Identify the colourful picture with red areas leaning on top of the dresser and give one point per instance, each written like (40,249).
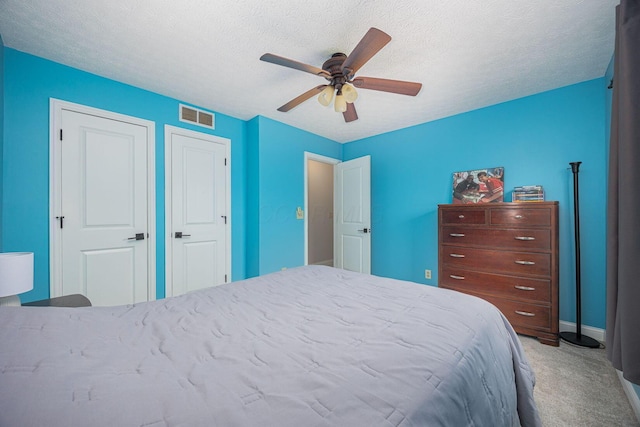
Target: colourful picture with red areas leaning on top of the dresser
(478,186)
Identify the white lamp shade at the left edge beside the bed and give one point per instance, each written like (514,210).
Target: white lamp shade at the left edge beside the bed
(16,273)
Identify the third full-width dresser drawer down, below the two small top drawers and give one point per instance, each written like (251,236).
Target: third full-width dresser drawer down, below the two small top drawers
(517,288)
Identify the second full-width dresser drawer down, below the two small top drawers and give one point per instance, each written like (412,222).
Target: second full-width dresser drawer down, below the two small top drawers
(515,263)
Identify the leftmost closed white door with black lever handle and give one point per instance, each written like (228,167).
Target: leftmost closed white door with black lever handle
(102,212)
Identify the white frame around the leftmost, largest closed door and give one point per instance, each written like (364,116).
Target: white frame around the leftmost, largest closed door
(56,106)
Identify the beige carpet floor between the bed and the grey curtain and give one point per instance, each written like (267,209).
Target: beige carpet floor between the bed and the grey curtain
(577,386)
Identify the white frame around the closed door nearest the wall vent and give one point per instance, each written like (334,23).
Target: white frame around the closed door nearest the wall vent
(173,130)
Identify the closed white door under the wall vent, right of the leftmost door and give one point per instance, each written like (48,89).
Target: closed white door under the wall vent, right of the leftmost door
(199,212)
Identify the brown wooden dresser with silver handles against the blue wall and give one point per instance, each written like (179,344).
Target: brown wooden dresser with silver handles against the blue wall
(507,254)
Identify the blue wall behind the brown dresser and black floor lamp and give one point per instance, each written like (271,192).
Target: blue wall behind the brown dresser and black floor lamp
(534,138)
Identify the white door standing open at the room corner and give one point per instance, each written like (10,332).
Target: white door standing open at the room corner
(352,215)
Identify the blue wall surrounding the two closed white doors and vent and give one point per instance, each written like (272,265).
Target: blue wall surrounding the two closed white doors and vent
(29,82)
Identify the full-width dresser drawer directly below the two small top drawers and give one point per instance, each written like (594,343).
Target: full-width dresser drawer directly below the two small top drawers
(517,239)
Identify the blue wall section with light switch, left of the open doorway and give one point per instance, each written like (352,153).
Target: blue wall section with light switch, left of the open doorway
(276,189)
